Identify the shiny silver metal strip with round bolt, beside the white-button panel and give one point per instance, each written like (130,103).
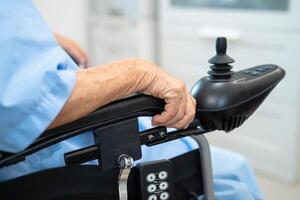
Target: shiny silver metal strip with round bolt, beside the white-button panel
(125,163)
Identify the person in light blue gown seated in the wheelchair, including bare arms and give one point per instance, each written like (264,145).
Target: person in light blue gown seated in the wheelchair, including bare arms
(42,88)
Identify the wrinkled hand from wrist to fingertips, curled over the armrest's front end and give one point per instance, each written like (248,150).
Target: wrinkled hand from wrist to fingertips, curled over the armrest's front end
(180,106)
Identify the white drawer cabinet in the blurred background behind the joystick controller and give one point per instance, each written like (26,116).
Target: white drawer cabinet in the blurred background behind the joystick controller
(270,138)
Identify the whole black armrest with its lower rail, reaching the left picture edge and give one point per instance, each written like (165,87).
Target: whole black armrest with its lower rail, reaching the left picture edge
(127,108)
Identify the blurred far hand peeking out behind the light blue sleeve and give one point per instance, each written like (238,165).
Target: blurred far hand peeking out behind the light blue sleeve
(73,49)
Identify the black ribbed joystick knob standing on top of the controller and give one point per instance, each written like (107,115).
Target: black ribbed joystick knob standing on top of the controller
(221,68)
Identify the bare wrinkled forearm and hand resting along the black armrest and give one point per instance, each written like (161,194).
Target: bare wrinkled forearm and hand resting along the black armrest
(100,85)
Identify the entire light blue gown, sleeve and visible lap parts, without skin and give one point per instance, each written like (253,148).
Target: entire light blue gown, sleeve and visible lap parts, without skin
(36,79)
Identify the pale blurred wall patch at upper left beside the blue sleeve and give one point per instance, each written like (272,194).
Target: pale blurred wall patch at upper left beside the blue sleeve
(67,17)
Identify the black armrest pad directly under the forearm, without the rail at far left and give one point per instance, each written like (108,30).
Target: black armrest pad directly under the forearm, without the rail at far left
(130,107)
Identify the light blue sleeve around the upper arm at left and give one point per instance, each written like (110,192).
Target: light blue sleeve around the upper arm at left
(36,75)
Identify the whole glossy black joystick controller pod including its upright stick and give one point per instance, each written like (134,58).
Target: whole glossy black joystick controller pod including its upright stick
(226,99)
